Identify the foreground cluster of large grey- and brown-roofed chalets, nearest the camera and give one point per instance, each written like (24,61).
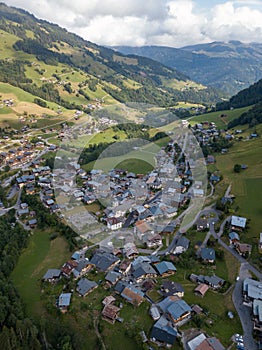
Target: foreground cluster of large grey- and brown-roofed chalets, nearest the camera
(129,280)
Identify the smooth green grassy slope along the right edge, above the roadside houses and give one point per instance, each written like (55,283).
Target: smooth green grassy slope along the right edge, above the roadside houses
(246,185)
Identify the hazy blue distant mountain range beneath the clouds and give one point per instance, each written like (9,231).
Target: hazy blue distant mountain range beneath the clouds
(229,67)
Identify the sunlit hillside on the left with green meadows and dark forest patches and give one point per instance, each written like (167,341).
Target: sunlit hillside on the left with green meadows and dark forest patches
(60,67)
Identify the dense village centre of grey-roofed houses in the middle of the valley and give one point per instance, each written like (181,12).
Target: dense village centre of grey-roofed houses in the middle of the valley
(136,200)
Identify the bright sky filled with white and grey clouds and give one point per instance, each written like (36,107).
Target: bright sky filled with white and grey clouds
(173,23)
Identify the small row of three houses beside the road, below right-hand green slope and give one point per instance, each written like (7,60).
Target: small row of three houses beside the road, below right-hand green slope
(238,224)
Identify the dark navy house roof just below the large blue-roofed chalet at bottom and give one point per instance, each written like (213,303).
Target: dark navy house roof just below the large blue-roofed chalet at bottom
(163,332)
